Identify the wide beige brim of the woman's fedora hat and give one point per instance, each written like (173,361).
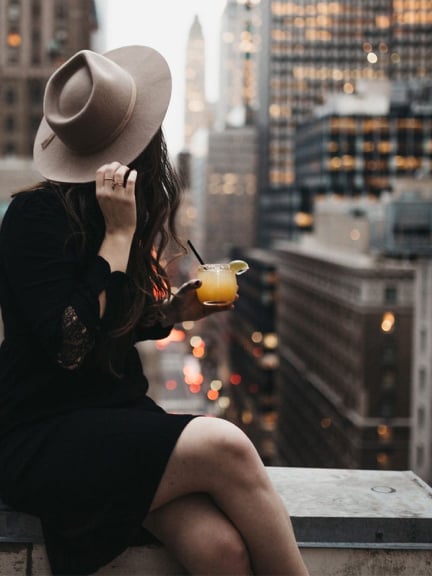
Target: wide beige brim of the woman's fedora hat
(152,77)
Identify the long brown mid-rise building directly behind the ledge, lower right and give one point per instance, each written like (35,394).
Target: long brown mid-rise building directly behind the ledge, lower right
(345,340)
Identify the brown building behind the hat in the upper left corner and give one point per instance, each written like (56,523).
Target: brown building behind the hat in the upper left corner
(35,37)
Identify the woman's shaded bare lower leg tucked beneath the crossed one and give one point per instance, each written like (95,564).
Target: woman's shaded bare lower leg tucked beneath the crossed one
(200,536)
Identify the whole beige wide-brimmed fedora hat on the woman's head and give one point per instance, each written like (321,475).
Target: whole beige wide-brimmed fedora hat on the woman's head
(99,108)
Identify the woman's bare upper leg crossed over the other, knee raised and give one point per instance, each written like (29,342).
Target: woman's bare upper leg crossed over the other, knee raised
(214,457)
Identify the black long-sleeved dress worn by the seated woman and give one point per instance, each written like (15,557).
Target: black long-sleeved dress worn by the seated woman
(80,447)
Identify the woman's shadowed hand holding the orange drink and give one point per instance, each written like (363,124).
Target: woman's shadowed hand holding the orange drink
(185,305)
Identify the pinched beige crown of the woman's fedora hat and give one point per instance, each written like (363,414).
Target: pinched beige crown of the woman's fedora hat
(88,102)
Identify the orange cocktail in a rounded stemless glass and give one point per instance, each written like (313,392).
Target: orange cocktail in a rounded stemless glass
(219,284)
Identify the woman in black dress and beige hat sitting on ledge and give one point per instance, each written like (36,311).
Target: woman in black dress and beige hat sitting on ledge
(82,445)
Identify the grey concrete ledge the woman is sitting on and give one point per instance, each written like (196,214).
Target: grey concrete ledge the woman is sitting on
(357,522)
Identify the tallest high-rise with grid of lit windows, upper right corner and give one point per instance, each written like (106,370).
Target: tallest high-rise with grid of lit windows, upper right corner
(314,48)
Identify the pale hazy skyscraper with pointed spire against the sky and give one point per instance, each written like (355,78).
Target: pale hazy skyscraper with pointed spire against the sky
(196,115)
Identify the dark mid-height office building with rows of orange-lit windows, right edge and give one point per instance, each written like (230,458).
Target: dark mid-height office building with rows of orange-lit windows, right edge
(363,144)
